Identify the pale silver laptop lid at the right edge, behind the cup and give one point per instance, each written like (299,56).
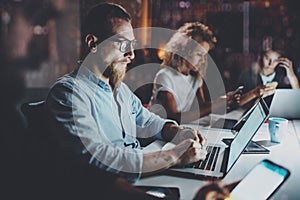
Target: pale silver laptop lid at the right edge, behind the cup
(285,103)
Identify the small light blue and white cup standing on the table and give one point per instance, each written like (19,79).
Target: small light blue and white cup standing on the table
(277,128)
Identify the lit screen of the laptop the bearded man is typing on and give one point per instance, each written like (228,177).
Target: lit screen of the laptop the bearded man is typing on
(248,130)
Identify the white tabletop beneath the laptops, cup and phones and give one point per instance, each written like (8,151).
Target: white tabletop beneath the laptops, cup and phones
(287,153)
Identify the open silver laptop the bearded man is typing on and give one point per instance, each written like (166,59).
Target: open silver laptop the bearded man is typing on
(221,157)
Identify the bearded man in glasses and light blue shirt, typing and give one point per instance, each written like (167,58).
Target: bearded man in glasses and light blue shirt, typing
(98,119)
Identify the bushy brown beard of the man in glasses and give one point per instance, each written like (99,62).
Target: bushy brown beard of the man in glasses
(115,76)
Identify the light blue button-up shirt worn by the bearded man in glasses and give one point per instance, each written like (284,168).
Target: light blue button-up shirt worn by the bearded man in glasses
(106,122)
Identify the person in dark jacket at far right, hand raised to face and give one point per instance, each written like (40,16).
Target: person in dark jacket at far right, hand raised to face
(271,71)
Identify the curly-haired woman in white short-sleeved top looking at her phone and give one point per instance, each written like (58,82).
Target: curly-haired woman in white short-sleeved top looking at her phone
(179,84)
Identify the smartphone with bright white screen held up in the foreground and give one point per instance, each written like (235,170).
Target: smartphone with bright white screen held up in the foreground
(261,182)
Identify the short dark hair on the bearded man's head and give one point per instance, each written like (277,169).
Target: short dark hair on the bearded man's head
(100,20)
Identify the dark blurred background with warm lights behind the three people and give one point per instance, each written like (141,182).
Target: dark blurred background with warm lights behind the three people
(40,39)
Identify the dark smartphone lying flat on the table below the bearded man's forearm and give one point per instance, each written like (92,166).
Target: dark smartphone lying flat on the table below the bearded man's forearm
(167,193)
